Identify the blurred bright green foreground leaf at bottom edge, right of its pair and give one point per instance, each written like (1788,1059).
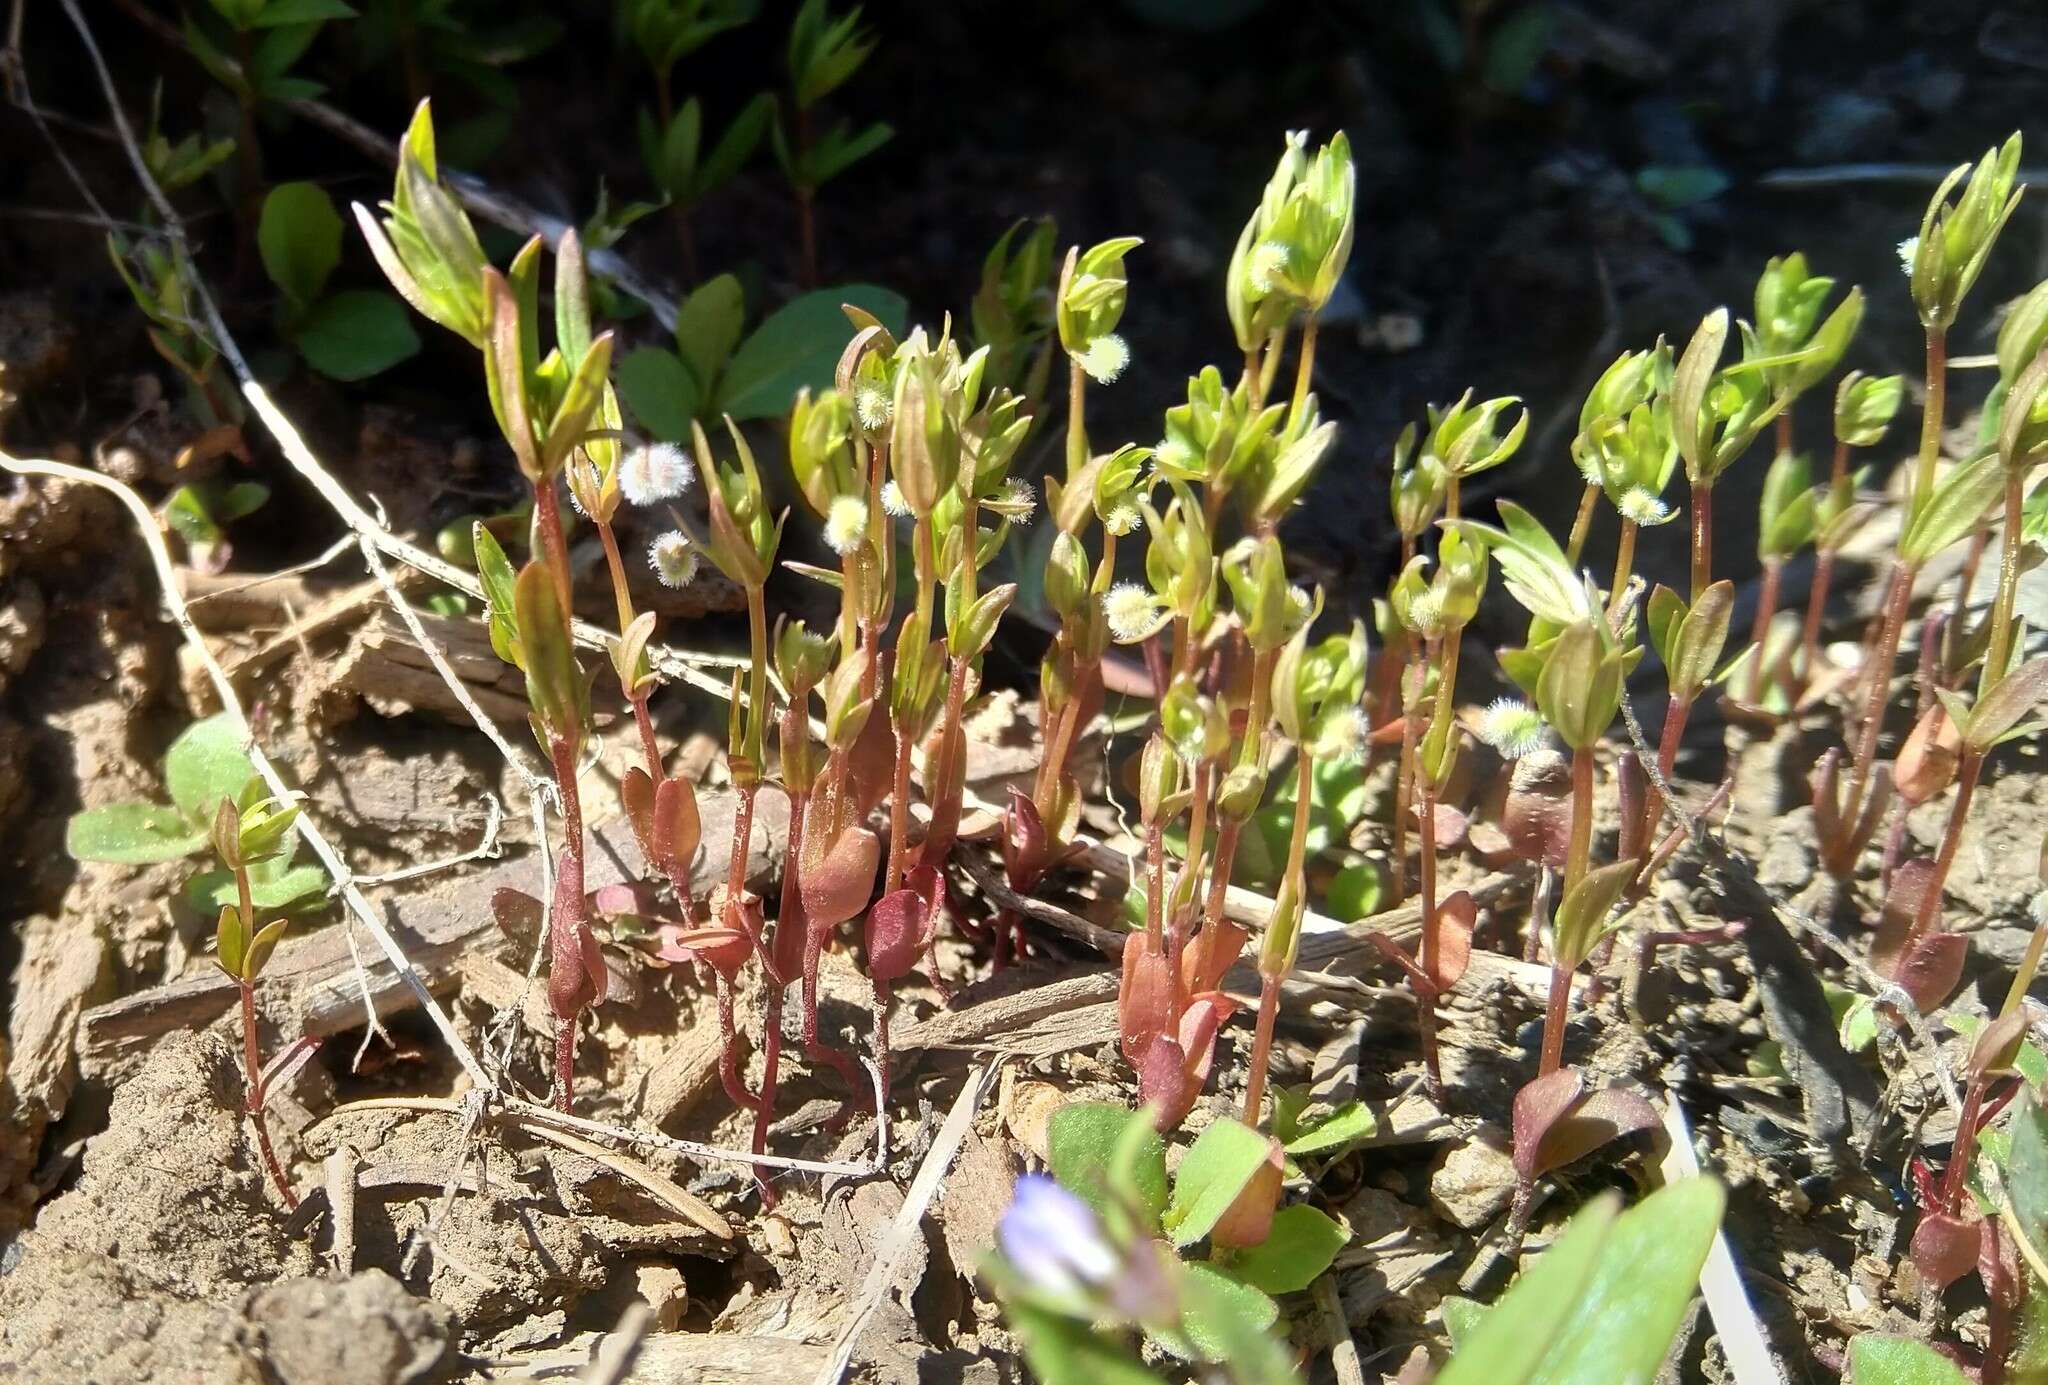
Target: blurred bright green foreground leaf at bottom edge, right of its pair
(1631,1308)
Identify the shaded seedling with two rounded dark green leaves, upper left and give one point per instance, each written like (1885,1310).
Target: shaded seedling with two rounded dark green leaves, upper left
(347,335)
